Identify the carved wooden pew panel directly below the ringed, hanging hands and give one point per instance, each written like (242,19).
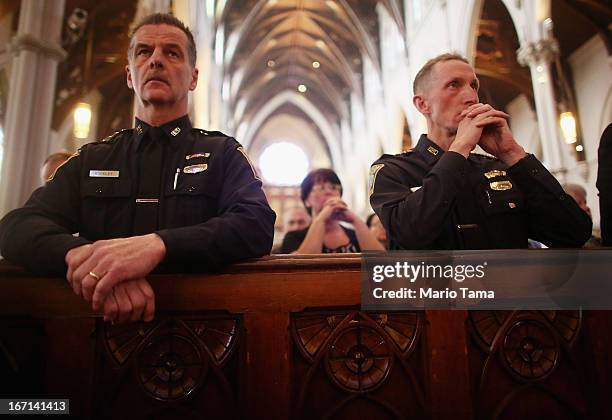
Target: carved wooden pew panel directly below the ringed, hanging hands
(171,368)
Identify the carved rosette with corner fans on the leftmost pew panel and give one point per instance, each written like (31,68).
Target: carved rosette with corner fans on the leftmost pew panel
(172,357)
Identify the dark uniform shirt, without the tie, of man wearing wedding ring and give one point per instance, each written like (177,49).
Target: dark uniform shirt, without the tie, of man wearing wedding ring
(206,219)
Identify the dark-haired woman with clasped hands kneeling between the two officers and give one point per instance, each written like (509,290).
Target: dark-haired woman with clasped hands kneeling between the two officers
(321,191)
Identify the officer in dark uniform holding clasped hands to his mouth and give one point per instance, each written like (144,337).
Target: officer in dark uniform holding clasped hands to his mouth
(442,196)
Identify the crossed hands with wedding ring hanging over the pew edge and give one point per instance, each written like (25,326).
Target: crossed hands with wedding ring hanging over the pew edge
(111,274)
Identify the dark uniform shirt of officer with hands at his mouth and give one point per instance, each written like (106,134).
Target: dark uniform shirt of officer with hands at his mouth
(431,199)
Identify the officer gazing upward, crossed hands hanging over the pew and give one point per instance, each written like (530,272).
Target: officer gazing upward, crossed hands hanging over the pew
(162,195)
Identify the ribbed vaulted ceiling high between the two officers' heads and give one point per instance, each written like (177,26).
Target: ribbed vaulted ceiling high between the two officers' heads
(272,46)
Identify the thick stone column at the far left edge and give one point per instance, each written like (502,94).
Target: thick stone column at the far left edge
(36,50)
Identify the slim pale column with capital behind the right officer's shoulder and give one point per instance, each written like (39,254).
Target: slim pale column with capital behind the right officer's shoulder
(539,56)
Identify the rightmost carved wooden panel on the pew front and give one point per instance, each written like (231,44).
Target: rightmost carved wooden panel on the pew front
(528,365)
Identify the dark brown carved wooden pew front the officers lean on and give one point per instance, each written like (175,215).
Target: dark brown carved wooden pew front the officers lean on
(283,337)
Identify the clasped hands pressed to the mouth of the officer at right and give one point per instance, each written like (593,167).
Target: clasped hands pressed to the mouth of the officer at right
(488,127)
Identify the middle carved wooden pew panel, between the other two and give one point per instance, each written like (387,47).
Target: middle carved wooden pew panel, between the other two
(351,364)
